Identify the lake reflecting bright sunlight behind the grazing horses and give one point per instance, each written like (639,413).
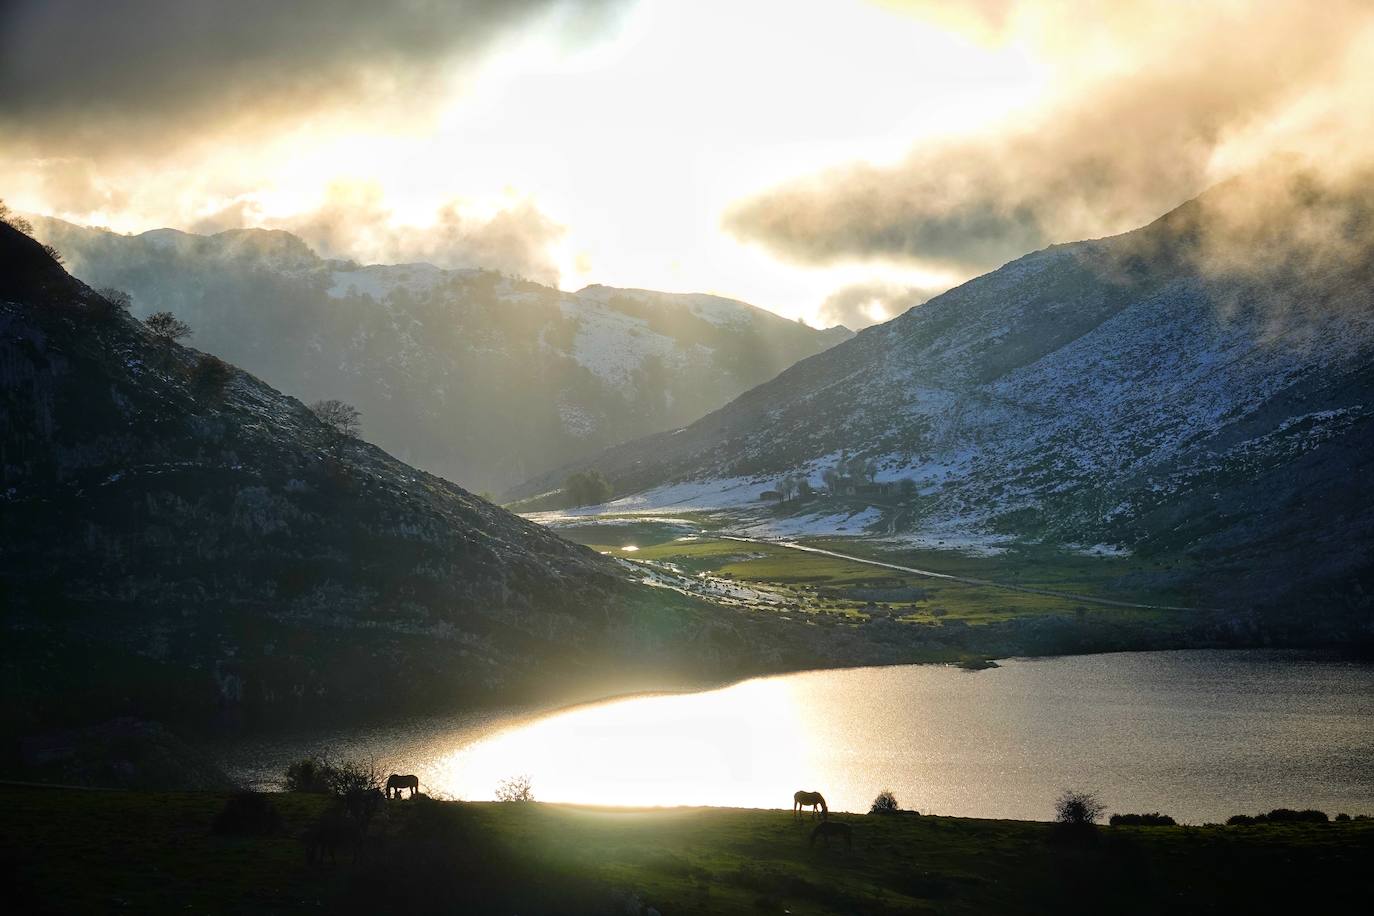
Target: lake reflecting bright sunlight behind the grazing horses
(1199,735)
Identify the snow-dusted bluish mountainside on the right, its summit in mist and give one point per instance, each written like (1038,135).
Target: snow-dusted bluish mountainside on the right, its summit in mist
(1203,385)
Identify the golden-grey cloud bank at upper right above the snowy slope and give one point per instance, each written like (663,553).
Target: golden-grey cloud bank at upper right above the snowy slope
(1152,105)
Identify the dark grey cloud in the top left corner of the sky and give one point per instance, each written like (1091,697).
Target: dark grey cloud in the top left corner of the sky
(85,76)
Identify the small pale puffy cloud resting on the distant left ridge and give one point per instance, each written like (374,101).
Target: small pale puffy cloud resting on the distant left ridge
(355,223)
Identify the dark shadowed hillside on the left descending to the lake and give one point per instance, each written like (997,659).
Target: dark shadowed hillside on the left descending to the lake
(178,538)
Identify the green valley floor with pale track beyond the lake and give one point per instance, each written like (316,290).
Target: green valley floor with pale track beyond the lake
(936,604)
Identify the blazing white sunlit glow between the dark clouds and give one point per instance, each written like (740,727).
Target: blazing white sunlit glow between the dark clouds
(635,141)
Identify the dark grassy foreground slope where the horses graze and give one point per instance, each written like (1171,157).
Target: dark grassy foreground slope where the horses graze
(153,854)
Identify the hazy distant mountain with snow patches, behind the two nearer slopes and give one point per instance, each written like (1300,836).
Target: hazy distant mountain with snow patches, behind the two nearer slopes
(479,378)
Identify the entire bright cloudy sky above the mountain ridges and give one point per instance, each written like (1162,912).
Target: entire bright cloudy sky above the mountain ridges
(836,161)
